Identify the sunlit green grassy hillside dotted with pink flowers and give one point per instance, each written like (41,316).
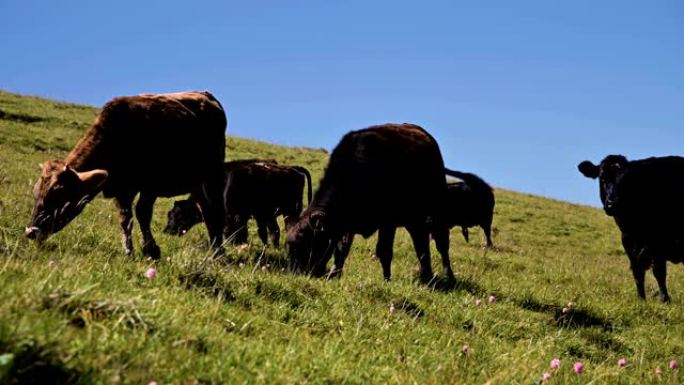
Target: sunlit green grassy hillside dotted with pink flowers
(79,311)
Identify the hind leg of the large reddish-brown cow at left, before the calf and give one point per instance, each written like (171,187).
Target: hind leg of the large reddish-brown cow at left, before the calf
(213,207)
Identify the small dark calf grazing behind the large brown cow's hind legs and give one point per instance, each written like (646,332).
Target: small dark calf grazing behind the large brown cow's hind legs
(259,189)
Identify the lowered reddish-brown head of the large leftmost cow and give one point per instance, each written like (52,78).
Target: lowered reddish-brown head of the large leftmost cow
(61,193)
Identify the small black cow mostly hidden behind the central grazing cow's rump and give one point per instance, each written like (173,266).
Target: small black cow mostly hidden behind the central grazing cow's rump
(470,203)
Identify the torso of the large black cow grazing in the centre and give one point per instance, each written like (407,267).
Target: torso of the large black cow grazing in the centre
(383,175)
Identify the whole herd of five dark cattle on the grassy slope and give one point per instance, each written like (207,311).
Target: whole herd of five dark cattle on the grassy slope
(377,179)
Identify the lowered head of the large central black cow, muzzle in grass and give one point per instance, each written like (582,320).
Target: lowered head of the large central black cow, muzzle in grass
(308,243)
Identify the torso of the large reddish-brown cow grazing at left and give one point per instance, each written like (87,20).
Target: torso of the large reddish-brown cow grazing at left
(163,143)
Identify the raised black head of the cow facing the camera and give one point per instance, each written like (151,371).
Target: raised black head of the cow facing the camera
(610,172)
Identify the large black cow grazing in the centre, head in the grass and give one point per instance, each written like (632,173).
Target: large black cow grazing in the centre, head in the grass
(377,179)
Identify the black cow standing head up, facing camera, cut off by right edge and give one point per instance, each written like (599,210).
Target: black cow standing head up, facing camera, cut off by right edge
(645,197)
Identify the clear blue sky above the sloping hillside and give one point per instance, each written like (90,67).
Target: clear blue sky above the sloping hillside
(516,91)
